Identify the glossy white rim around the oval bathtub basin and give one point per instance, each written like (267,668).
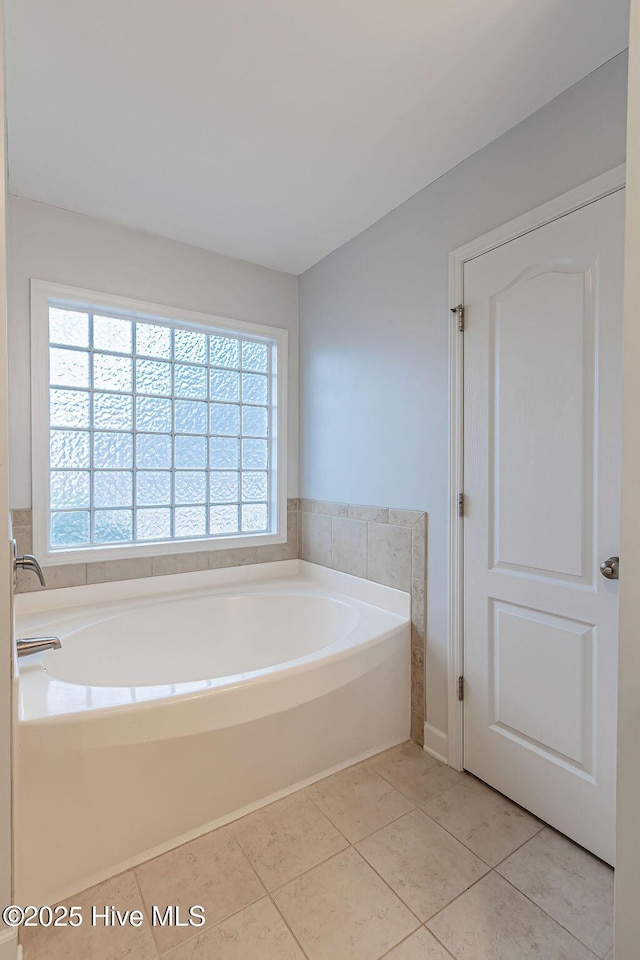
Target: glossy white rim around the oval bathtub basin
(241,698)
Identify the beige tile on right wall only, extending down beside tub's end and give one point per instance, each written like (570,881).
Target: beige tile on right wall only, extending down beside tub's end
(382,544)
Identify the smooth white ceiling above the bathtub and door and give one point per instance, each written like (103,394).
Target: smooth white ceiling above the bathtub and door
(275,130)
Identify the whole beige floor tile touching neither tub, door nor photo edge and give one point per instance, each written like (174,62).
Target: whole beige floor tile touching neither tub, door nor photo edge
(425,866)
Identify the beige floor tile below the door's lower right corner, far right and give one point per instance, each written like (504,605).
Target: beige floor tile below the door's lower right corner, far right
(575,888)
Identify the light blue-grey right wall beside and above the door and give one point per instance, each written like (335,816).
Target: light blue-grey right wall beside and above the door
(374,317)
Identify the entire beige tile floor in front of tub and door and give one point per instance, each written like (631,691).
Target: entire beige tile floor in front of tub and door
(397,857)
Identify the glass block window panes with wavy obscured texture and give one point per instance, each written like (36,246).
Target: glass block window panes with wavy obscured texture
(158,431)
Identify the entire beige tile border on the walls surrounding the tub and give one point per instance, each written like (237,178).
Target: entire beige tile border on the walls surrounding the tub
(382,544)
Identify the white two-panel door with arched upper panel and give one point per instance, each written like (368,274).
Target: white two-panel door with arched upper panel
(542,445)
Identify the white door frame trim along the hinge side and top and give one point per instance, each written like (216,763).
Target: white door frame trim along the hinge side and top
(602,186)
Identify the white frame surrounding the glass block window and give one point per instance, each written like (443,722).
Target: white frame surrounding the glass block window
(44,294)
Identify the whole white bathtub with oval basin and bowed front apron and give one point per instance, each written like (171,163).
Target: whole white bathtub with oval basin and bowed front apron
(179,703)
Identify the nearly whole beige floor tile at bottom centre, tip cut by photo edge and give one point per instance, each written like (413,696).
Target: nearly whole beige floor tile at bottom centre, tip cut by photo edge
(342,910)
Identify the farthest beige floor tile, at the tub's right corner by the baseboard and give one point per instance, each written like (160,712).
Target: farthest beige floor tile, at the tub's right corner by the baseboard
(414,773)
